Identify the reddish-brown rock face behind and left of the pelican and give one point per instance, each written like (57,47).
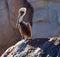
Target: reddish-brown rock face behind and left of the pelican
(8,16)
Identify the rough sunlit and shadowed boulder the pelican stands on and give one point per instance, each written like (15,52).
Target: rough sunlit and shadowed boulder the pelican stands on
(50,48)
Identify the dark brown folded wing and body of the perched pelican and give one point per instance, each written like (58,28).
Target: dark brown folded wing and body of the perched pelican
(25,30)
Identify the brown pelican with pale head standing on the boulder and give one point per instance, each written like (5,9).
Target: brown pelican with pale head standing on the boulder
(24,28)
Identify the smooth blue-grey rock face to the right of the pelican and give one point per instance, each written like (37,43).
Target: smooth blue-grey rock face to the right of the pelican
(46,18)
